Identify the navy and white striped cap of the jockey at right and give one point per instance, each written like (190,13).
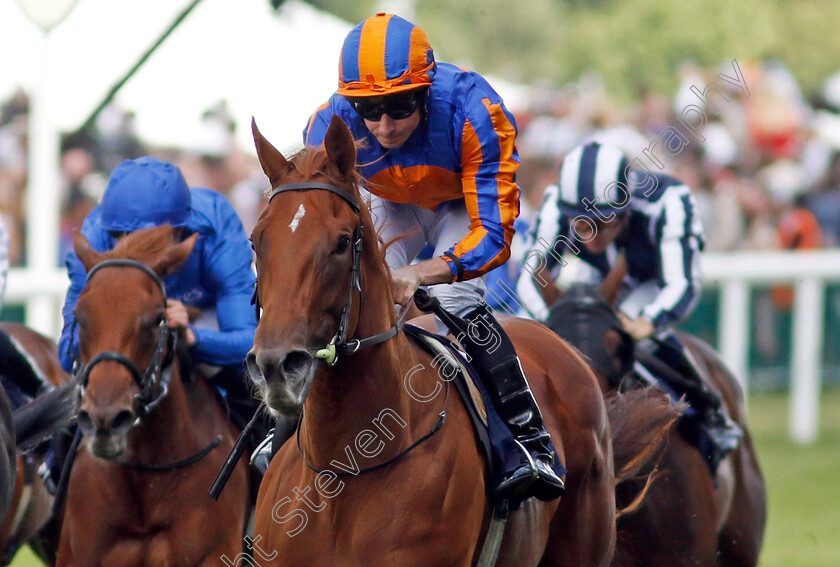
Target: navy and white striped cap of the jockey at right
(593,179)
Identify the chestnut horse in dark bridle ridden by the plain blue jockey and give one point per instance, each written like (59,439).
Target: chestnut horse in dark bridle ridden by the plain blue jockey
(153,439)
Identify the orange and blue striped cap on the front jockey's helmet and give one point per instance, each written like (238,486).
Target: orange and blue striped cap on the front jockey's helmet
(384,54)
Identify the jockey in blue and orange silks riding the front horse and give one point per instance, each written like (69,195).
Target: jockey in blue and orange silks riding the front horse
(438,152)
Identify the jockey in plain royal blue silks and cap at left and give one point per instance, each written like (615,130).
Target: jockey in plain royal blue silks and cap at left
(217,280)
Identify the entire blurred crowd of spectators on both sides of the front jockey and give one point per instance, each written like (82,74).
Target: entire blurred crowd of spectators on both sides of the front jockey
(765,168)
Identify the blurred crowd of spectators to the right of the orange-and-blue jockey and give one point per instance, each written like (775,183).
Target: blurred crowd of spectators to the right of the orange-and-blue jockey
(765,168)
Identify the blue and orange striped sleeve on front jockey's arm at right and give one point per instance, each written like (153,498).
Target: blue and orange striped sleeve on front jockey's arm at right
(489,161)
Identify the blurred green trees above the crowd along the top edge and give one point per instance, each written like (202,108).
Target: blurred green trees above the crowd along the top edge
(636,46)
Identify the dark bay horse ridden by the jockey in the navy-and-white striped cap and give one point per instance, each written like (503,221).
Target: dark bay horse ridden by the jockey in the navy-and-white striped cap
(689,517)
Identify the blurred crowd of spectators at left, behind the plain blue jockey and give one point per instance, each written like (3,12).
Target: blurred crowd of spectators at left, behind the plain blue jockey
(87,158)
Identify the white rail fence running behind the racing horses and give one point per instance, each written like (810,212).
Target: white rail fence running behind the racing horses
(42,292)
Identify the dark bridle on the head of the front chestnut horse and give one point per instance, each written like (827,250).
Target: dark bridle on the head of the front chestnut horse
(339,346)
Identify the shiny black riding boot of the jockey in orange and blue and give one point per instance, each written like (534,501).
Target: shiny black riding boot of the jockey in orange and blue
(494,357)
